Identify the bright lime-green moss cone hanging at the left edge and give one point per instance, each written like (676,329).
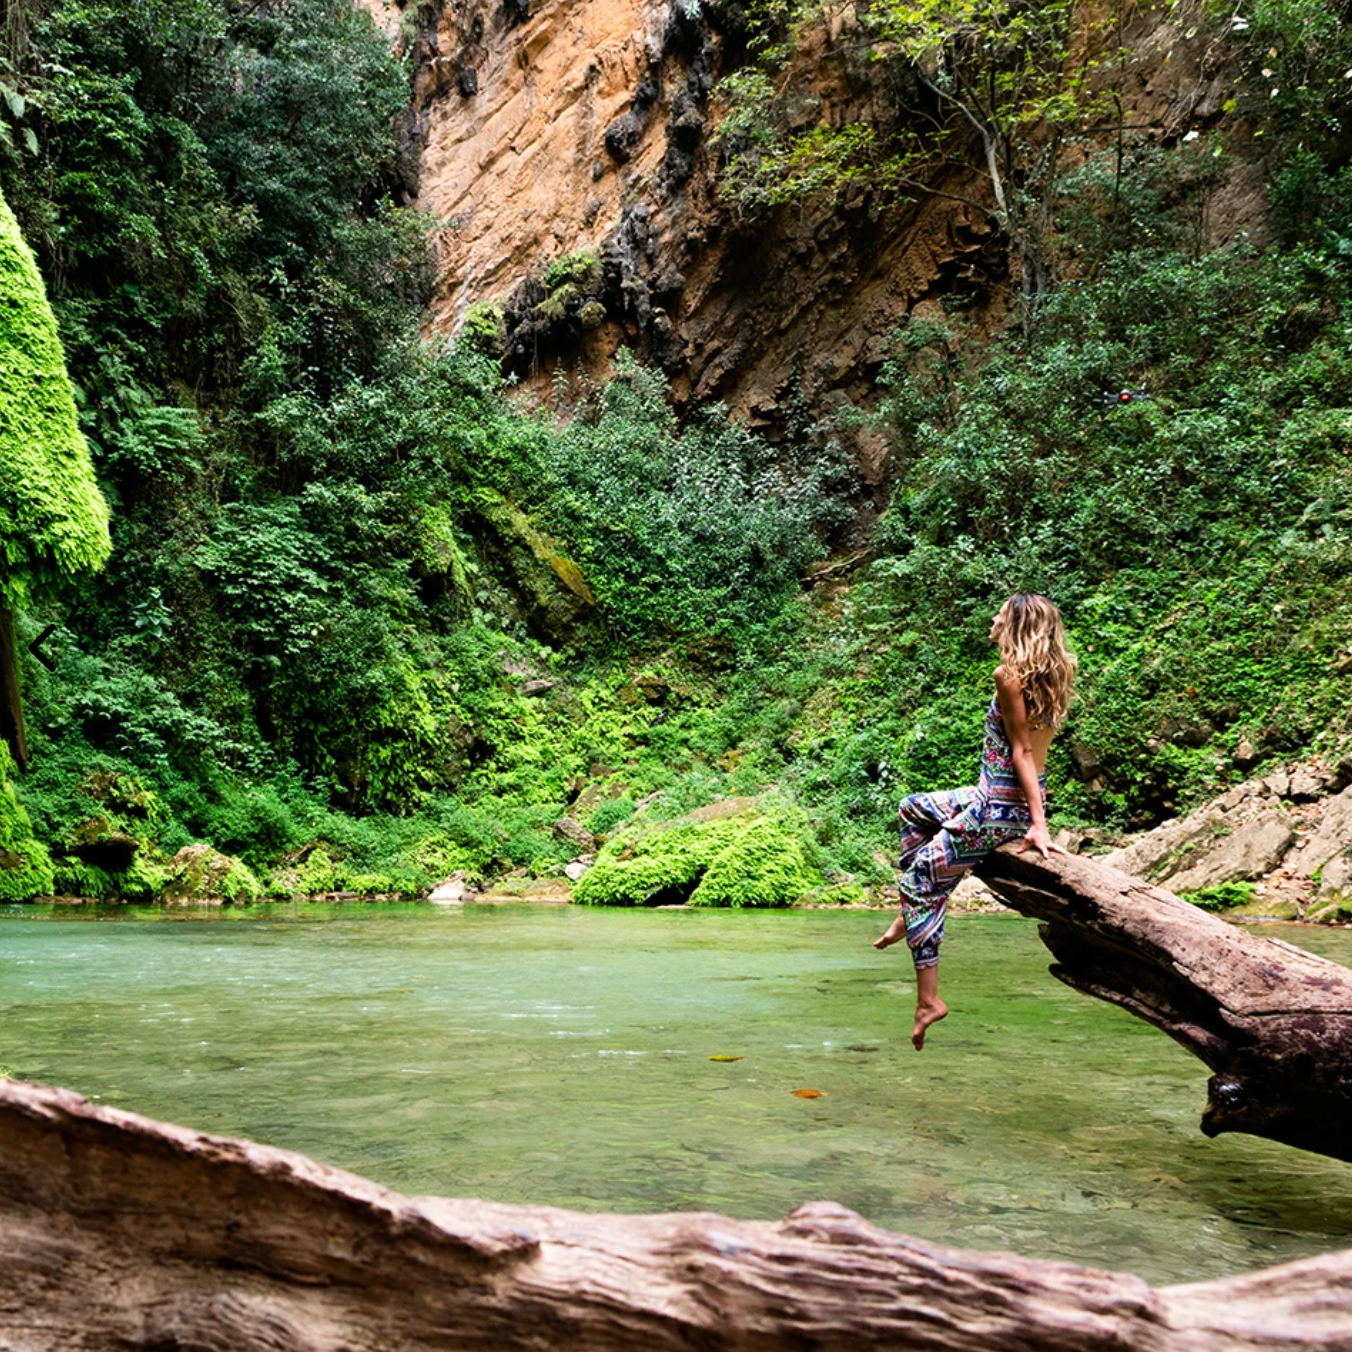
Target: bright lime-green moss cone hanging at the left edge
(53,520)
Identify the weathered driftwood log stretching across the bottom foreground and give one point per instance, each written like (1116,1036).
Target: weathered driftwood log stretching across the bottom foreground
(118,1232)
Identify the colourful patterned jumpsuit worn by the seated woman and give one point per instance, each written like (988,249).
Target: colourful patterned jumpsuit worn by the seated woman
(944,835)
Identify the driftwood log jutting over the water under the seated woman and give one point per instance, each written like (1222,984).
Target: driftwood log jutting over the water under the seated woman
(1272,1021)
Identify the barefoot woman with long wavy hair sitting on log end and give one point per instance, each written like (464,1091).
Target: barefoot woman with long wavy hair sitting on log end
(948,832)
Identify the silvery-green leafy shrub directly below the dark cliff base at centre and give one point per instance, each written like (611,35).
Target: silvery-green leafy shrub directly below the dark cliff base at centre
(685,531)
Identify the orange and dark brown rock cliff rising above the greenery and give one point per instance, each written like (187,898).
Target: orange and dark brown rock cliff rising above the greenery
(550,129)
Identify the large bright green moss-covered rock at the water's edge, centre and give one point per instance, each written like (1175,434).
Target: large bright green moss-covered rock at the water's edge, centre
(744,861)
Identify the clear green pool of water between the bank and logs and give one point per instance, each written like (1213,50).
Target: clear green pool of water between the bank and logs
(562,1055)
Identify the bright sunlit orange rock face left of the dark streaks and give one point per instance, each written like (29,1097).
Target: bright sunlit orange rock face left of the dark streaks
(513,103)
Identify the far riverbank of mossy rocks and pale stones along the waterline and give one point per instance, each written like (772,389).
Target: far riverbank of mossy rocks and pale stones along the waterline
(1277,847)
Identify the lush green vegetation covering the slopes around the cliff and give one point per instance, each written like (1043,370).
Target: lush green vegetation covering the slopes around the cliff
(371,621)
